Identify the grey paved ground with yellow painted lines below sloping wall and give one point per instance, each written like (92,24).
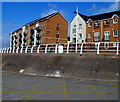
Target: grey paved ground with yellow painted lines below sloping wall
(23,87)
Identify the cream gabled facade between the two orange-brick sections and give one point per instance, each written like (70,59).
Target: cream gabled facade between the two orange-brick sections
(78,28)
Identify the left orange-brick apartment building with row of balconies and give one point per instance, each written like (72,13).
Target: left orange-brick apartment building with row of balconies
(52,29)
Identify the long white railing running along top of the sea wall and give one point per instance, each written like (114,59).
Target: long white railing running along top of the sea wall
(81,48)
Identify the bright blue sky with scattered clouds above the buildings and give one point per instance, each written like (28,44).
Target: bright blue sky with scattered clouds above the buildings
(16,14)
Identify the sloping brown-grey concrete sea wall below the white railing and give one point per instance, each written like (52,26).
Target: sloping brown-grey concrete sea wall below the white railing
(103,67)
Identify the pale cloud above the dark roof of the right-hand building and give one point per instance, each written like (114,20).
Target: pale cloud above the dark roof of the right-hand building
(110,8)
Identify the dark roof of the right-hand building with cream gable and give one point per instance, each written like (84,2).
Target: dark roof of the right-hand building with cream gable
(100,16)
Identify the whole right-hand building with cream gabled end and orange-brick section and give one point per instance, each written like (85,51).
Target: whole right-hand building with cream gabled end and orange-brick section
(97,28)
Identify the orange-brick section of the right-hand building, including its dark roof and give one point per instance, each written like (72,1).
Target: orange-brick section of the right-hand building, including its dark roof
(103,27)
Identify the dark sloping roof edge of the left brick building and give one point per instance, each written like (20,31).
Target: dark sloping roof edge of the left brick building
(39,20)
